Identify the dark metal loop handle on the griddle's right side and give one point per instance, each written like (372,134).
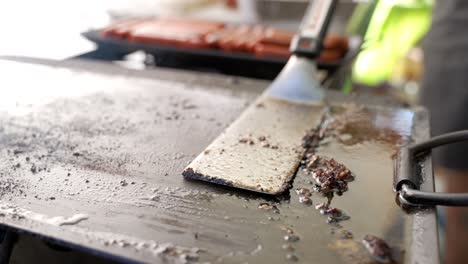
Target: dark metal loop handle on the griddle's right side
(407,179)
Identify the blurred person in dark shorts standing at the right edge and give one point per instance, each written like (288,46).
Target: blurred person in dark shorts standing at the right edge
(445,93)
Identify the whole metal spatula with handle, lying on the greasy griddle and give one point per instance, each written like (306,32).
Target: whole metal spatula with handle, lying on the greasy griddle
(261,150)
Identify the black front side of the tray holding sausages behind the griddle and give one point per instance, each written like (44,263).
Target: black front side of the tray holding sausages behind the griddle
(232,63)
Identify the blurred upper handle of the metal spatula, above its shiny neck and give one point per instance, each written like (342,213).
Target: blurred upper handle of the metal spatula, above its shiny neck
(308,41)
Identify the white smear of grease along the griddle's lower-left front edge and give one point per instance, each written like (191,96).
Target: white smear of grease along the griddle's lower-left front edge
(56,220)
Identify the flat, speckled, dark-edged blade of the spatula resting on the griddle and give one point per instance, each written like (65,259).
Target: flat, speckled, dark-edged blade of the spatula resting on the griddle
(261,150)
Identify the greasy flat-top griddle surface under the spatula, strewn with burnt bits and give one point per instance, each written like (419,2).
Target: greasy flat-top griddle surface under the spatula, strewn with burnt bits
(107,148)
